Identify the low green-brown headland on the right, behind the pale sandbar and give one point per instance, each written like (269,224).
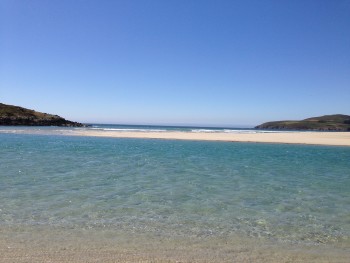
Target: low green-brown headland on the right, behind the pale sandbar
(337,122)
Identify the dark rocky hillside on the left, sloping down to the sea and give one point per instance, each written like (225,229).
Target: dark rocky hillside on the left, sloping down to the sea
(14,115)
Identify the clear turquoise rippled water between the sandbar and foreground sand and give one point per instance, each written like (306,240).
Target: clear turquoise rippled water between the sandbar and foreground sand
(286,193)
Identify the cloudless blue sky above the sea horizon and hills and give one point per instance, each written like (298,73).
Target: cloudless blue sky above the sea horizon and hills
(217,62)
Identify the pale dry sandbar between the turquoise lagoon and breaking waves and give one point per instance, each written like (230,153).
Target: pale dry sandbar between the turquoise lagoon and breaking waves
(318,138)
